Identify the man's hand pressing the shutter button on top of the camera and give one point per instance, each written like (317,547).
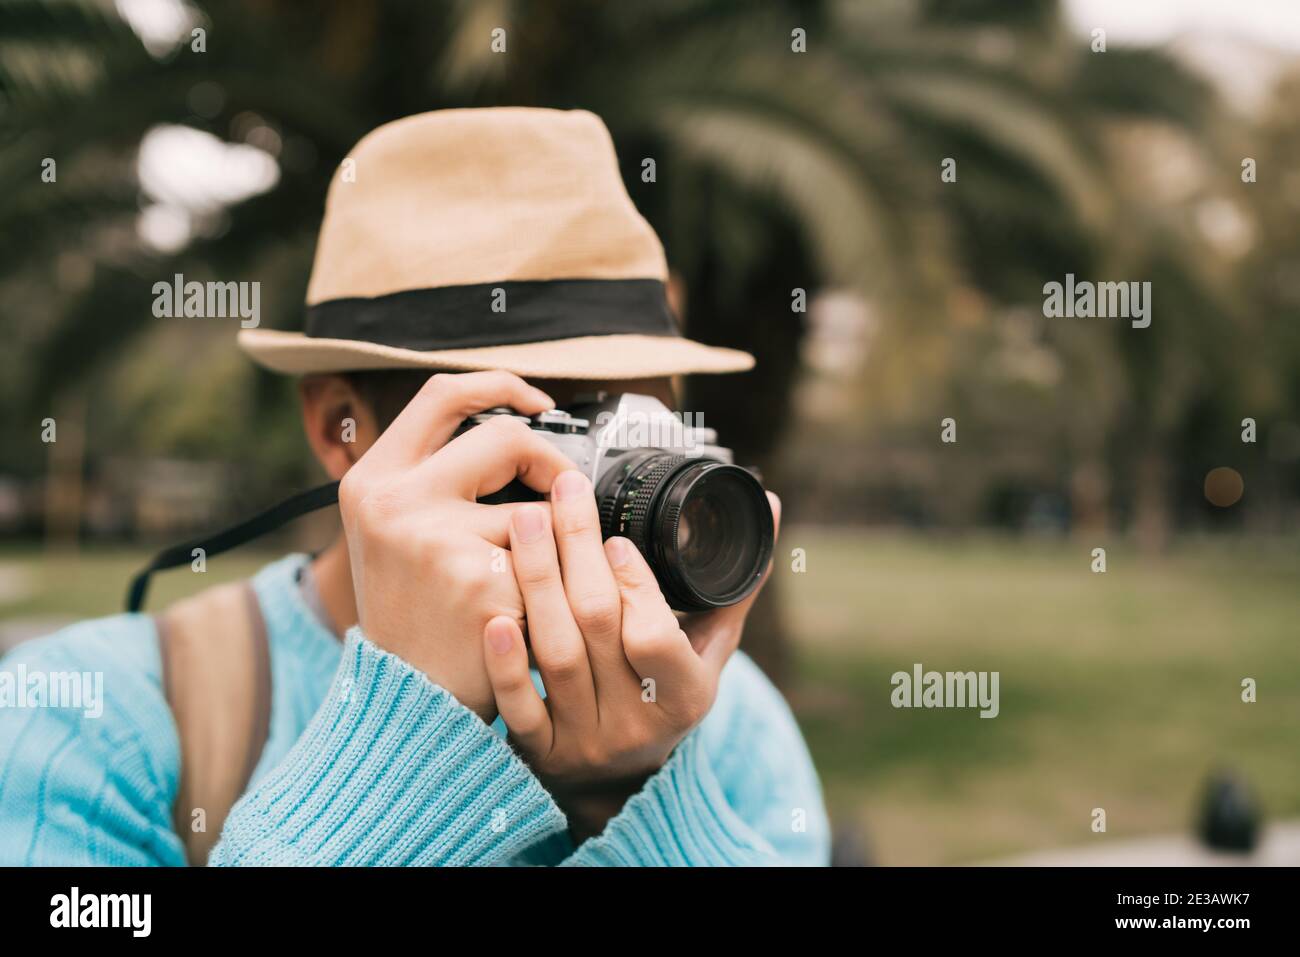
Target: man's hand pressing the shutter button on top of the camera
(428,561)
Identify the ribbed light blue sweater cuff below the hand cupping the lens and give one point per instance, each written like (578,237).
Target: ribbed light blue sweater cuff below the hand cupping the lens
(681,819)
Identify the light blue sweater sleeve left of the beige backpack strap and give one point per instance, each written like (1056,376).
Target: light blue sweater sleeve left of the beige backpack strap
(90,785)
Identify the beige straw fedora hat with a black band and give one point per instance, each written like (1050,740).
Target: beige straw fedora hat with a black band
(488,240)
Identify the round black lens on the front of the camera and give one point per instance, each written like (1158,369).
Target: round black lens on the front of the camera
(704,526)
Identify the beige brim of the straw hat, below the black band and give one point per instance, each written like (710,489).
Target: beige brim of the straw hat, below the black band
(590,357)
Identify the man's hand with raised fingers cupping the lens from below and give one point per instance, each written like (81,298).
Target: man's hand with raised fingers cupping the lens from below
(625,679)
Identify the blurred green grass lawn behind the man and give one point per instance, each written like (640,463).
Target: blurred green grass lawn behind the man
(1119,691)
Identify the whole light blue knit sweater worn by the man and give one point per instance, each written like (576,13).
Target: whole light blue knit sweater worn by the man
(371,764)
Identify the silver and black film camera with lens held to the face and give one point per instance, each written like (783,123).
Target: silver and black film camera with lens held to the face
(703,523)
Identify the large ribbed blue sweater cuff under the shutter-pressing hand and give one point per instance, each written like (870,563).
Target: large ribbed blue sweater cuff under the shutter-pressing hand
(393,770)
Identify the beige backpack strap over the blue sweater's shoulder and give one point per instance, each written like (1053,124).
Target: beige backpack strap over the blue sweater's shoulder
(216,674)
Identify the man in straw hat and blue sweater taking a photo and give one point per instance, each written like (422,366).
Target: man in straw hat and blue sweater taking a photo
(499,245)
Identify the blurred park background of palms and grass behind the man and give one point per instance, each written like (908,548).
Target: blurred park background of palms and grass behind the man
(775,171)
